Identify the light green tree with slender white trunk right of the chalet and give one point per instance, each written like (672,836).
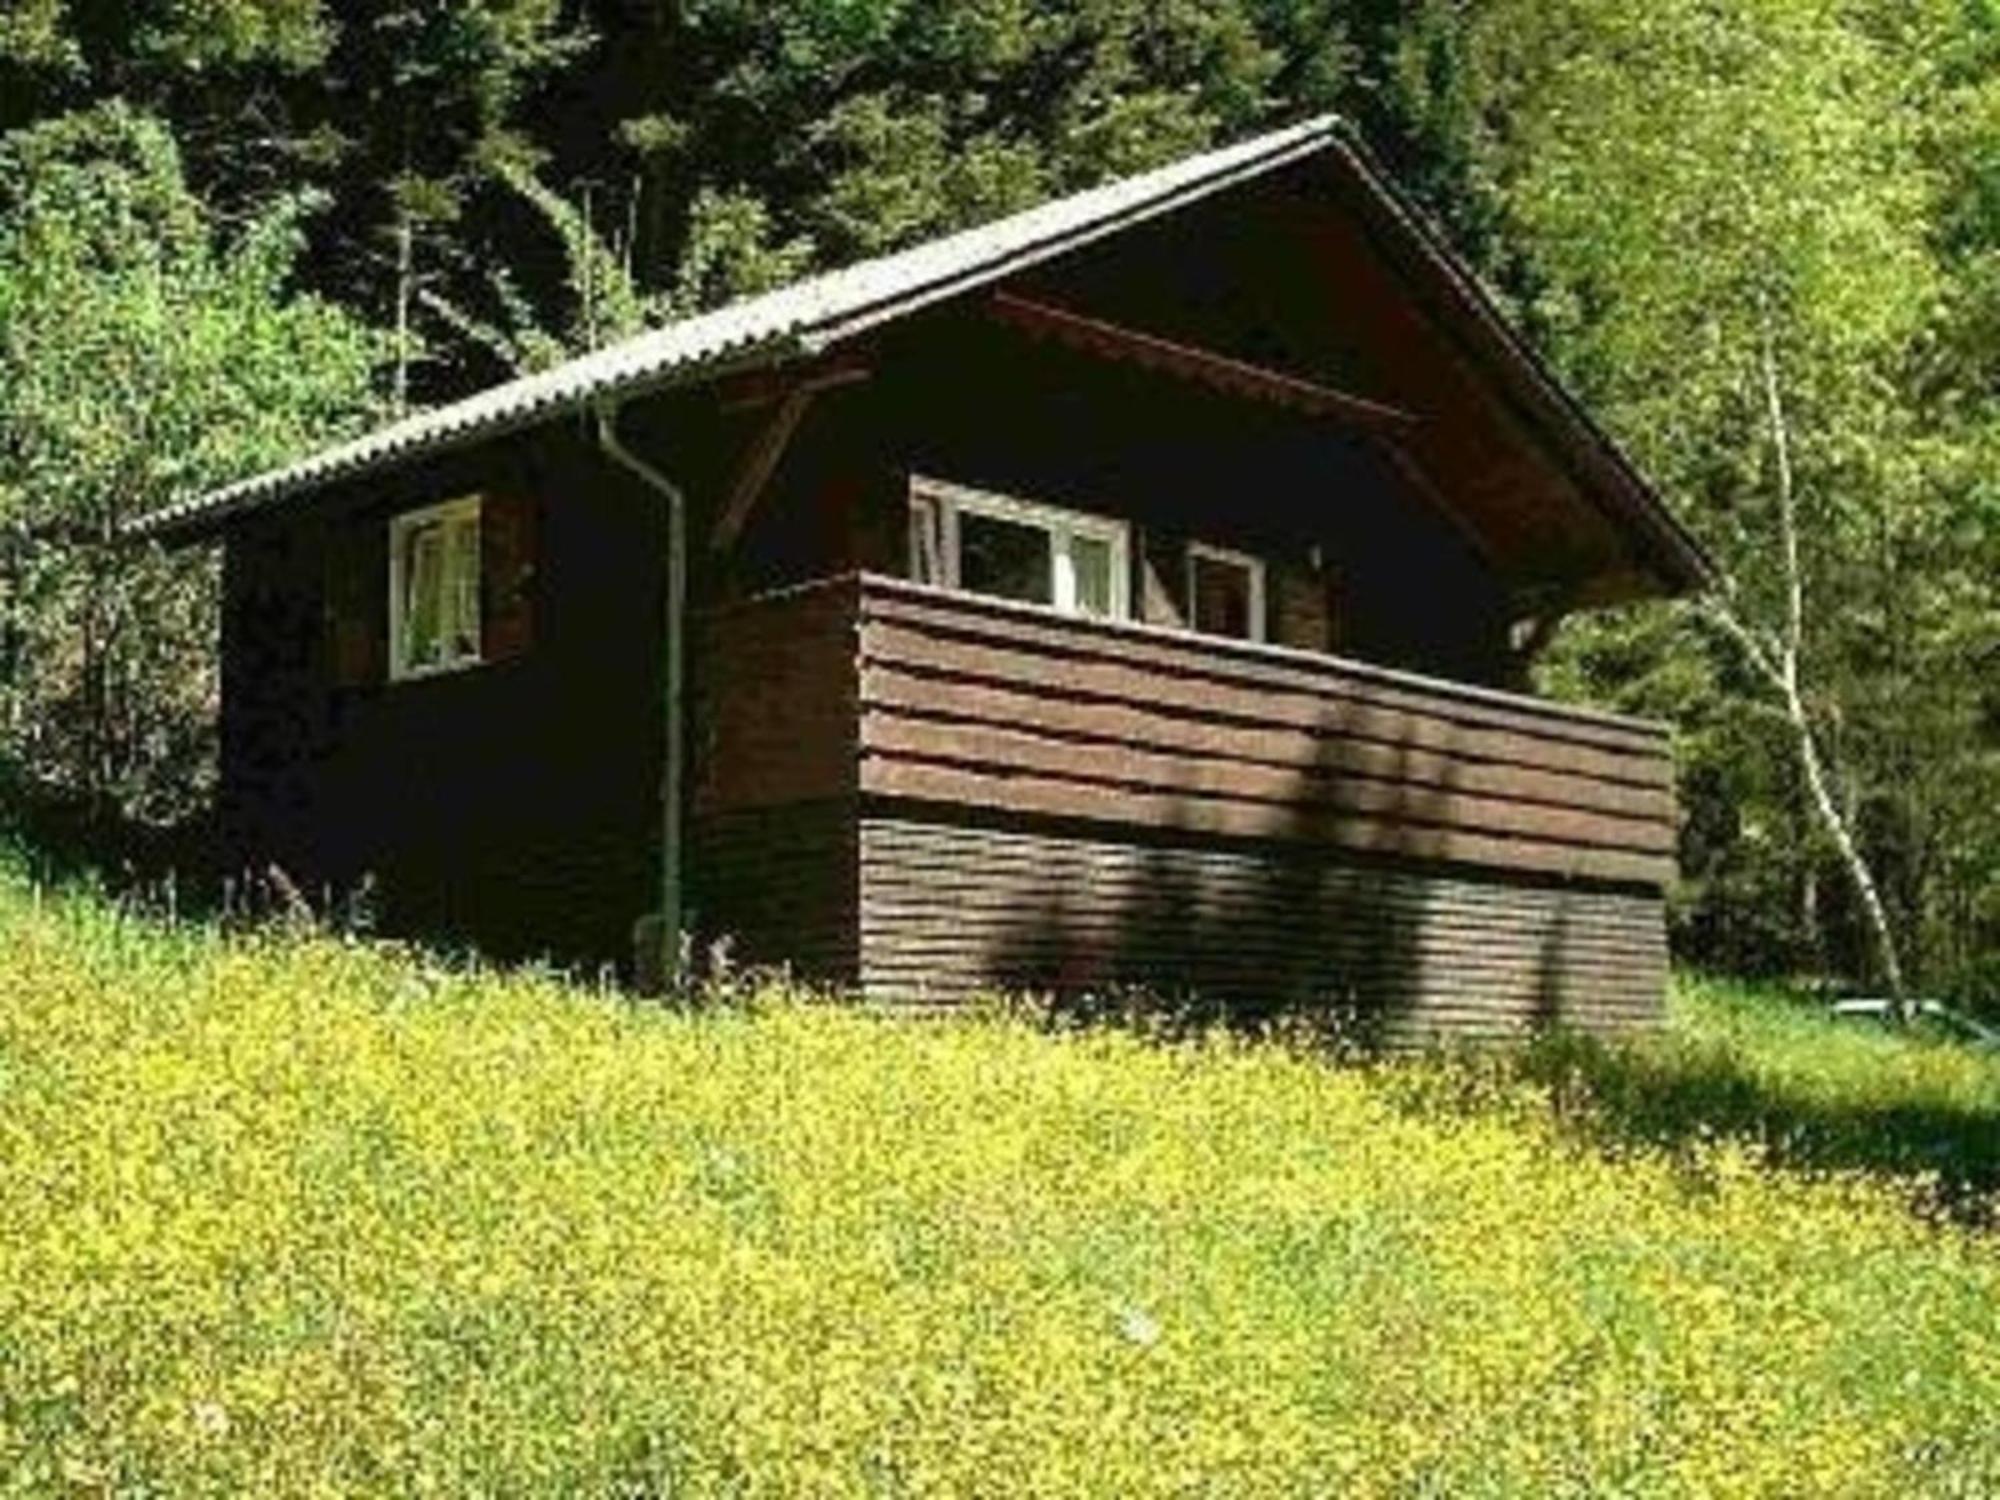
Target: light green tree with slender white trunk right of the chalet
(1731,217)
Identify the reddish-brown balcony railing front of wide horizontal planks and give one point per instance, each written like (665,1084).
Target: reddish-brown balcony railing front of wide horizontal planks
(989,707)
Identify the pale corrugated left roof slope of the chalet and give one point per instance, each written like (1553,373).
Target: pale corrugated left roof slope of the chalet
(623,371)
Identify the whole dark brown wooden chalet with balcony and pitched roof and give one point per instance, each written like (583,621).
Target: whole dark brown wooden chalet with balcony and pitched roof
(1131,593)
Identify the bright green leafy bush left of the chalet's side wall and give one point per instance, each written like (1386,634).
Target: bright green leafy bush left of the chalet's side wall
(141,357)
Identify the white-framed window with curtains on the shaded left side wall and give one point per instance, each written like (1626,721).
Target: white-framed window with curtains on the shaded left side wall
(435,589)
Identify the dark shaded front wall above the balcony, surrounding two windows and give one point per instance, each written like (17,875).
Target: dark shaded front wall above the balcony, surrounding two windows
(1357,561)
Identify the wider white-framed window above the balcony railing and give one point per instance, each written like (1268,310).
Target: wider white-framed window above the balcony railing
(1019,549)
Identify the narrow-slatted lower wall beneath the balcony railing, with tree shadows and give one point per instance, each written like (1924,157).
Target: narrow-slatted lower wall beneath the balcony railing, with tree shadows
(953,909)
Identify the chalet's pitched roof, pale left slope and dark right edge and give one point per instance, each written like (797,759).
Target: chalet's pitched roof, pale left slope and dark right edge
(809,317)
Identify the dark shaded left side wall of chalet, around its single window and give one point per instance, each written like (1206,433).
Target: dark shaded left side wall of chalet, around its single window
(513,805)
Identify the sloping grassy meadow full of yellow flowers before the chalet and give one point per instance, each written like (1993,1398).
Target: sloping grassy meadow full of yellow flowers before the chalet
(293,1217)
